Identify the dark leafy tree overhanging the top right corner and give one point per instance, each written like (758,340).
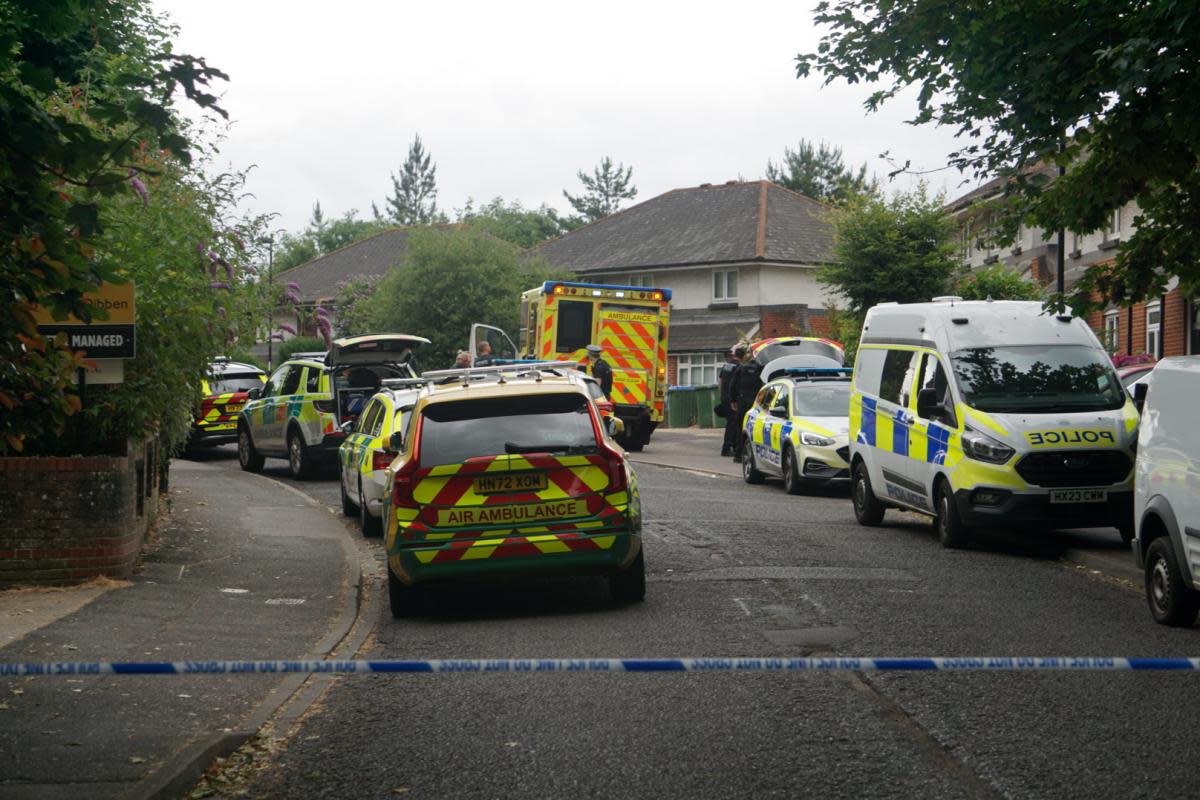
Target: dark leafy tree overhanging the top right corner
(1109,97)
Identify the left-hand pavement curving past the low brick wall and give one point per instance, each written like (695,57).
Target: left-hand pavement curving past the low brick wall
(242,569)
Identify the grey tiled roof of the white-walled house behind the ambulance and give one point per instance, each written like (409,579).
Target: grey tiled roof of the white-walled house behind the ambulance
(724,224)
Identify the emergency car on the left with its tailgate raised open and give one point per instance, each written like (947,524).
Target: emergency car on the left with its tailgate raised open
(301,412)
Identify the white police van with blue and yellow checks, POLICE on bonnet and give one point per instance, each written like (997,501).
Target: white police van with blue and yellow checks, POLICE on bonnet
(989,414)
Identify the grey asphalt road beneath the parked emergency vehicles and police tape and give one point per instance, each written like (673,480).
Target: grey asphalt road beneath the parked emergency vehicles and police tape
(747,570)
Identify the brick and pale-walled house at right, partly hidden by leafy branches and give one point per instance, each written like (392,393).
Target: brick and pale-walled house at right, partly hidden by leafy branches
(1167,326)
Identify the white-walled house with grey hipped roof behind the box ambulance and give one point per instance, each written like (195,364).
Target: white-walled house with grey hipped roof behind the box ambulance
(741,260)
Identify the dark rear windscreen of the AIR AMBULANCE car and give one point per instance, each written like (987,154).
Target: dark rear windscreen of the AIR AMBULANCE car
(457,431)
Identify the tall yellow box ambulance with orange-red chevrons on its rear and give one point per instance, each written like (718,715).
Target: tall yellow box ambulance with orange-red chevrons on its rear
(560,320)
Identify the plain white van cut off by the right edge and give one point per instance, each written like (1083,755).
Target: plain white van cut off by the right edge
(1167,502)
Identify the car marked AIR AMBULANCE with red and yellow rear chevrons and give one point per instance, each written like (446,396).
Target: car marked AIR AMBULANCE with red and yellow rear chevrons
(509,470)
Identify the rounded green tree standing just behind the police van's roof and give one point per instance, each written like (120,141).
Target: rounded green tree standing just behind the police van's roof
(891,250)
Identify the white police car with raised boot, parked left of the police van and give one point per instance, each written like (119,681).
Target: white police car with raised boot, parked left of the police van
(799,429)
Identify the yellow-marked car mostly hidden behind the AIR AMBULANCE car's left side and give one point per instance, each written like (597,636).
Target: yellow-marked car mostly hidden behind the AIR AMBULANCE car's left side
(365,455)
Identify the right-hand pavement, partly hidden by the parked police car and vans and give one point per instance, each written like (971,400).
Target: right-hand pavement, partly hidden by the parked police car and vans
(1097,551)
